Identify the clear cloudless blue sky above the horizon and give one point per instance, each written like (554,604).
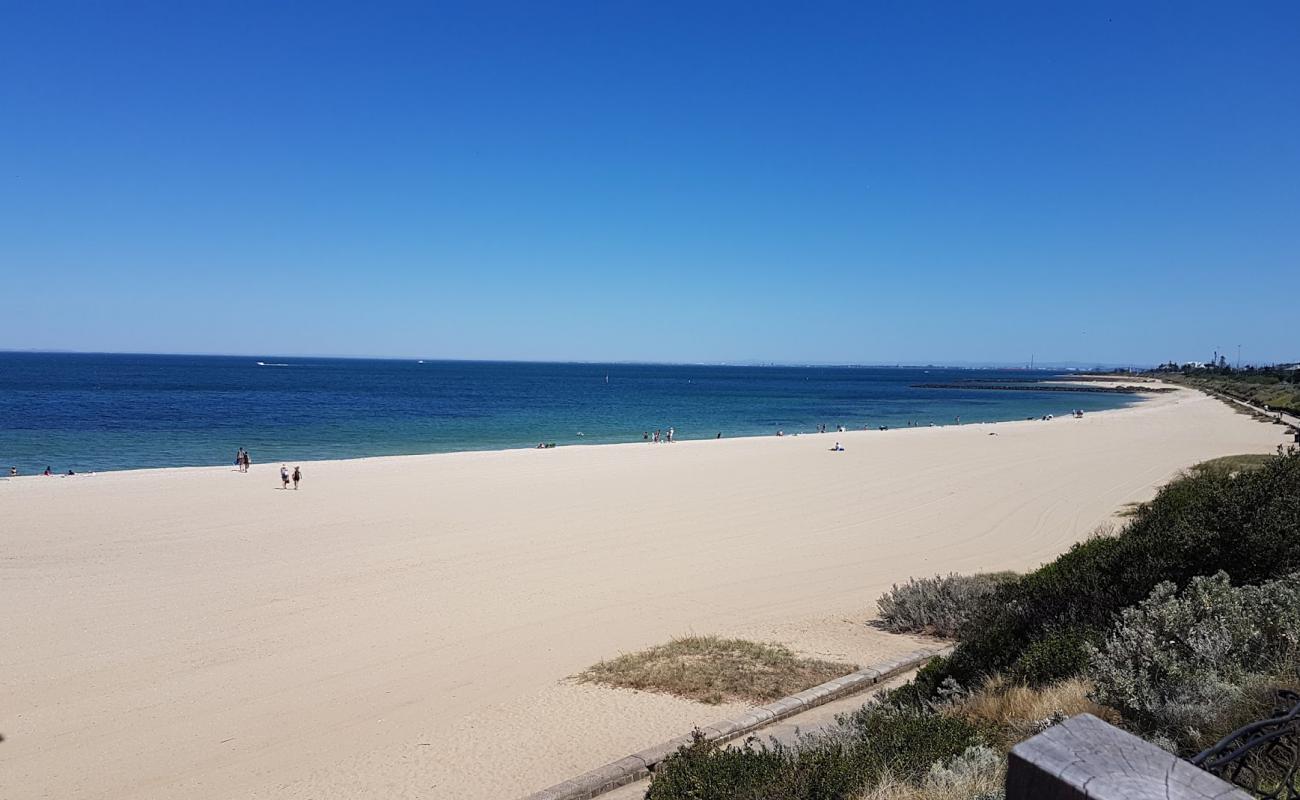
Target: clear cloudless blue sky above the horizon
(653,181)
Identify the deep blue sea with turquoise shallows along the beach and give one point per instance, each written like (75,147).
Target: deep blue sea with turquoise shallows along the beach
(94,413)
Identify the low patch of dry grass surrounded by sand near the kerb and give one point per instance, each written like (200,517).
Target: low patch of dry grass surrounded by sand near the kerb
(716,671)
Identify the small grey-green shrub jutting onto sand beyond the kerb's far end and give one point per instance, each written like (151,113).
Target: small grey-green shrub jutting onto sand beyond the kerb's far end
(938,606)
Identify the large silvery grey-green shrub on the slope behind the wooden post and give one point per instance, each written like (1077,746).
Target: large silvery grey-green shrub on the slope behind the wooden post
(1180,661)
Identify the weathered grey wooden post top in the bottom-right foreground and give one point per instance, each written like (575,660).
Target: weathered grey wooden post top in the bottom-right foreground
(1085,758)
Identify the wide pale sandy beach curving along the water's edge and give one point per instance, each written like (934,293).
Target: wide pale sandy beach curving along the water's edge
(402,628)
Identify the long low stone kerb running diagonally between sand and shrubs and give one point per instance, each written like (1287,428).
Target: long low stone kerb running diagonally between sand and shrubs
(640,764)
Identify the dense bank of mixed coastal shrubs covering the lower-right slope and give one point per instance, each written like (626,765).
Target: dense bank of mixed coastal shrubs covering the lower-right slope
(1178,629)
